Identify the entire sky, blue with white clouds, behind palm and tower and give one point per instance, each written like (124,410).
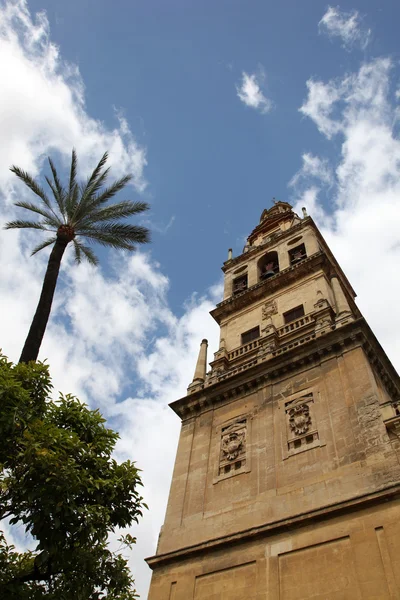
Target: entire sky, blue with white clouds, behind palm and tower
(215,107)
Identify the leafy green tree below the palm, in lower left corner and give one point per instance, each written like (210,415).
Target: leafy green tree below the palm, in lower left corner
(59,480)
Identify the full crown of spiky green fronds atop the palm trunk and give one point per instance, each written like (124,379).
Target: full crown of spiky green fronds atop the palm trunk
(84,208)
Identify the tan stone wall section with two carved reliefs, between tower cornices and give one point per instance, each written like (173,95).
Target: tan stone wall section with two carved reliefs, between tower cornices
(306,442)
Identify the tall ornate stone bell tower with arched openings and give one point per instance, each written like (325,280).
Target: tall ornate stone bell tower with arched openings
(287,480)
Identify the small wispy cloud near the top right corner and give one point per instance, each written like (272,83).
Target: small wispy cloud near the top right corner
(345,25)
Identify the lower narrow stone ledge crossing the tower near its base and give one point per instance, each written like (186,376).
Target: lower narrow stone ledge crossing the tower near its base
(300,520)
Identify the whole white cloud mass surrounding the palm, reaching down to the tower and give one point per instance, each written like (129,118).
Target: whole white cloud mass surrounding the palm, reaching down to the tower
(112,338)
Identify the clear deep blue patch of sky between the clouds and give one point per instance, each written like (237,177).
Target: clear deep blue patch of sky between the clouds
(172,67)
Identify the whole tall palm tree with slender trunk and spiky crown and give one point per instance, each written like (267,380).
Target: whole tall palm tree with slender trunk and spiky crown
(77,211)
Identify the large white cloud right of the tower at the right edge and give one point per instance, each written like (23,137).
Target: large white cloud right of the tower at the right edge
(364,214)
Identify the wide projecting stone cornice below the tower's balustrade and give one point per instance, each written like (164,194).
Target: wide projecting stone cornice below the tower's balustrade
(308,352)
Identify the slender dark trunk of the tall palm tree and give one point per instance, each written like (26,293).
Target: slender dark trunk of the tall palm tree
(36,332)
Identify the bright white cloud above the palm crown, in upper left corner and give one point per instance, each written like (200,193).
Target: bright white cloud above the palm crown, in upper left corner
(42,107)
